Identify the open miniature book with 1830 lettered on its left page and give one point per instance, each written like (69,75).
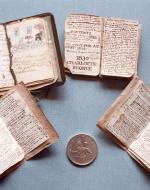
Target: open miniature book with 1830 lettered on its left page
(97,46)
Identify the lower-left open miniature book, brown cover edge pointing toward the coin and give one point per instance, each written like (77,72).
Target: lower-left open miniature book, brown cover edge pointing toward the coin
(24,129)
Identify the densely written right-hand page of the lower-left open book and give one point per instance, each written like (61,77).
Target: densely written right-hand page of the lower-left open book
(24,122)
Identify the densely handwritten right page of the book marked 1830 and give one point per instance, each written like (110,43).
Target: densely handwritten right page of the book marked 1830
(120,47)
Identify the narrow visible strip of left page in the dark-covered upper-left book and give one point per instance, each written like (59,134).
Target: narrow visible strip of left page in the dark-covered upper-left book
(6,79)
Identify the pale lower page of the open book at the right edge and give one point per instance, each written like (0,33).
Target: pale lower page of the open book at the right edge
(141,147)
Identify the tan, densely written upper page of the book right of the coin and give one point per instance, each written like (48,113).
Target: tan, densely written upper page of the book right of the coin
(130,119)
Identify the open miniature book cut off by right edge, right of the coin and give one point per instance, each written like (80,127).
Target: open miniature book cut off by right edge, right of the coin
(127,121)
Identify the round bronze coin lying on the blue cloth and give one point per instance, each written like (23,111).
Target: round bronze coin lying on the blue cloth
(82,149)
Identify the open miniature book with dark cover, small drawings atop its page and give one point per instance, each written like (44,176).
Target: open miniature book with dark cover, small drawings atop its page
(29,52)
